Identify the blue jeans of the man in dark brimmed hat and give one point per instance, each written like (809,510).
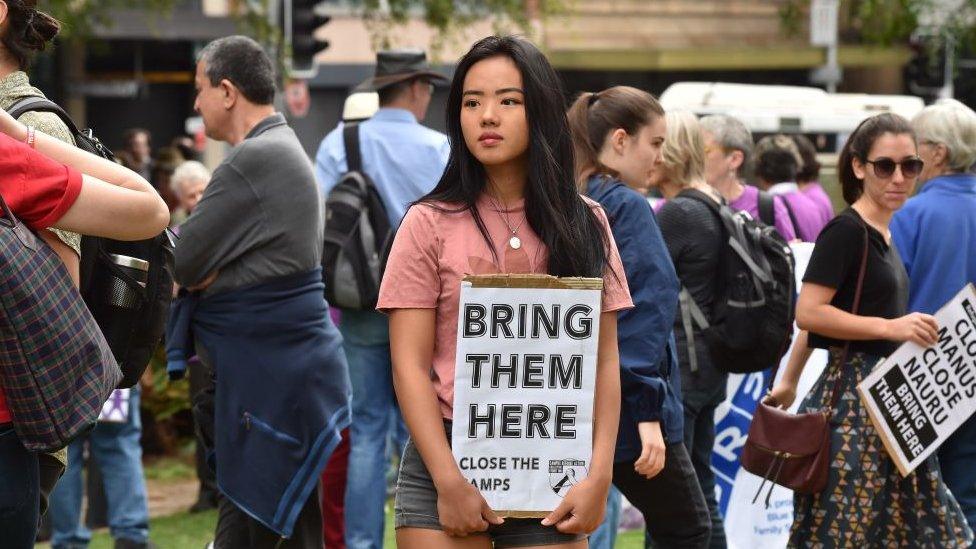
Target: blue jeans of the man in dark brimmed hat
(366,340)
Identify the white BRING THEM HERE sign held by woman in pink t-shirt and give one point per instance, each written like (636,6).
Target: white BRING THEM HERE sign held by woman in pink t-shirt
(523,387)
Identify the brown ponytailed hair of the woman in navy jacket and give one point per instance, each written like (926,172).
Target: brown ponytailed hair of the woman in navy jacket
(594,115)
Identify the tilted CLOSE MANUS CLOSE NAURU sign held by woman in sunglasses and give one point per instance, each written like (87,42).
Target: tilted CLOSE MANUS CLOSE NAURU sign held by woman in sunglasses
(918,397)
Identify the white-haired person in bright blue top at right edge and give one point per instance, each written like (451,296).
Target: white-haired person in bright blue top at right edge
(930,231)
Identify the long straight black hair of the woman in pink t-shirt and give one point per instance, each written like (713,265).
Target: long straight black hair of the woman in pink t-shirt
(571,232)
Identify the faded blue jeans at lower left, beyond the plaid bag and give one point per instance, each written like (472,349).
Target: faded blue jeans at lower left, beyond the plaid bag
(115,446)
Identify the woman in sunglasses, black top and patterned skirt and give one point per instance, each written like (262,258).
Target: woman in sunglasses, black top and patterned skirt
(866,502)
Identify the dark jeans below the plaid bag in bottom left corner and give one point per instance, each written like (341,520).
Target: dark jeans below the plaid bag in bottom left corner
(19,491)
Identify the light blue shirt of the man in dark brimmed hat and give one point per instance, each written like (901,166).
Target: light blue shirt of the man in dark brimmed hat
(403,158)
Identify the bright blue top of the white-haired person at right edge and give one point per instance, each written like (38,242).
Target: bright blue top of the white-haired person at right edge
(935,233)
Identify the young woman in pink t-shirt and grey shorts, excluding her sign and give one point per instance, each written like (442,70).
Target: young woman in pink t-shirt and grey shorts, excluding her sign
(507,203)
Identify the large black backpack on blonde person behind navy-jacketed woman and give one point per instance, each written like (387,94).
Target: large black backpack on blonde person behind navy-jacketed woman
(751,324)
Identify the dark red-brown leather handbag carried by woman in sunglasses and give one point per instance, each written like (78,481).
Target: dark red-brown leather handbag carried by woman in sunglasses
(793,450)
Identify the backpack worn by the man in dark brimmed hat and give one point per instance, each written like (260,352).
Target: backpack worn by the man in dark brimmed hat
(357,234)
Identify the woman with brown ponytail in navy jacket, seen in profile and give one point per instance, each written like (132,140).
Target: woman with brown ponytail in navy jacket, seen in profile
(618,134)
